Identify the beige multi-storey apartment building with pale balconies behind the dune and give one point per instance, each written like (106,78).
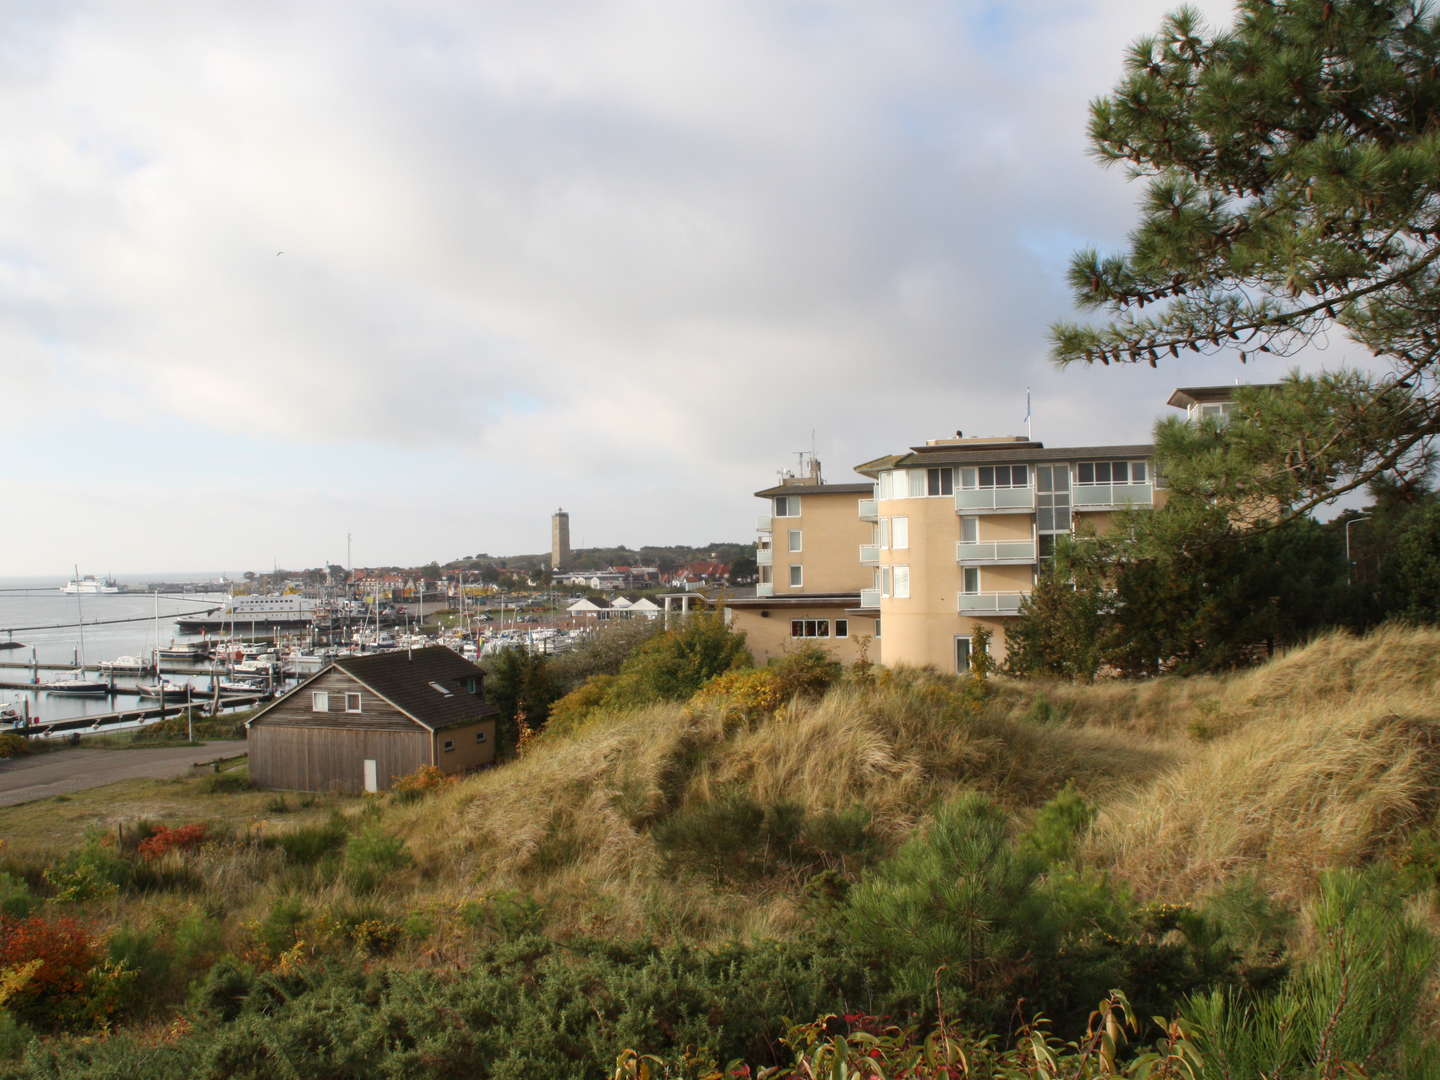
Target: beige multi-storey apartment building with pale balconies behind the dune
(944,539)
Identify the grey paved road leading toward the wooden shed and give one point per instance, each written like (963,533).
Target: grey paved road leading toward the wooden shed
(64,773)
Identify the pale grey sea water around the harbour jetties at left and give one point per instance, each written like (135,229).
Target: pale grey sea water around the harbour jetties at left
(60,629)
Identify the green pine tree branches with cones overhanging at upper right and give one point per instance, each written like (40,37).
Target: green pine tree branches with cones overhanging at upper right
(1294,189)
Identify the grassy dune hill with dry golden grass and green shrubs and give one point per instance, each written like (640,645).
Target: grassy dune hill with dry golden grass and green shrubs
(1173,836)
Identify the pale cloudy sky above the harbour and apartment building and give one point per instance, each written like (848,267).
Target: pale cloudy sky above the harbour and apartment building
(274,274)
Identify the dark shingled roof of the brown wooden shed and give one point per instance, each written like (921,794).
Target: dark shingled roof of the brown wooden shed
(405,680)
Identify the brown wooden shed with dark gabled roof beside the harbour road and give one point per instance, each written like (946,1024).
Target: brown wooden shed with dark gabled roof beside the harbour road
(364,722)
